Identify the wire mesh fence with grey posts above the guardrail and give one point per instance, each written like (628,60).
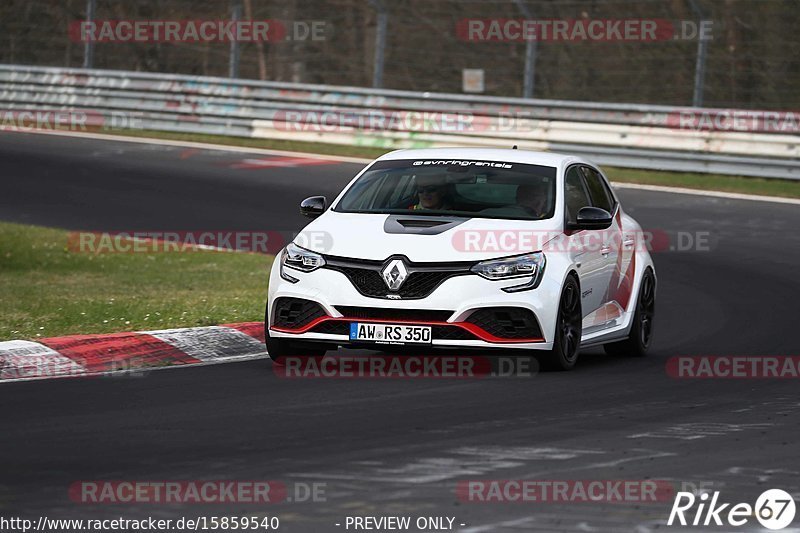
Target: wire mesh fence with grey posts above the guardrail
(749,57)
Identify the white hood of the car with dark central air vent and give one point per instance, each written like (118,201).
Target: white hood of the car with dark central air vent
(379,236)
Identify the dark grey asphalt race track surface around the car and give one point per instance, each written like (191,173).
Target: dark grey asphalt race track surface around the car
(399,447)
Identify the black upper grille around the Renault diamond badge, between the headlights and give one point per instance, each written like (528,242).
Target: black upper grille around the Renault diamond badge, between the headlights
(422,278)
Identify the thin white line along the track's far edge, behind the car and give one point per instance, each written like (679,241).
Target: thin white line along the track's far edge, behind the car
(243,149)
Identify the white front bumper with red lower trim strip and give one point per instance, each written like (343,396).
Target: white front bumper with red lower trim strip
(450,310)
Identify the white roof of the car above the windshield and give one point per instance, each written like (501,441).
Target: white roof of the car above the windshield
(485,154)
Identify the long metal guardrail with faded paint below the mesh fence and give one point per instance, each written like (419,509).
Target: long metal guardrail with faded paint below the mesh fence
(624,135)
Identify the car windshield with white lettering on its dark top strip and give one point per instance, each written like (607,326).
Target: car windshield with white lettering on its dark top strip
(481,189)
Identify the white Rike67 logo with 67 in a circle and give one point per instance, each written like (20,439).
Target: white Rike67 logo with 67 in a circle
(774,509)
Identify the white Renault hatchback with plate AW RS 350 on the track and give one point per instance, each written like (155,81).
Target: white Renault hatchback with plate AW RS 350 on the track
(469,249)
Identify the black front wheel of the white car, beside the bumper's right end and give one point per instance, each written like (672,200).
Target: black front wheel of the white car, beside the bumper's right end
(567,339)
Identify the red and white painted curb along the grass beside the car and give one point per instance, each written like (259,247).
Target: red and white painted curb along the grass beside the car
(92,355)
